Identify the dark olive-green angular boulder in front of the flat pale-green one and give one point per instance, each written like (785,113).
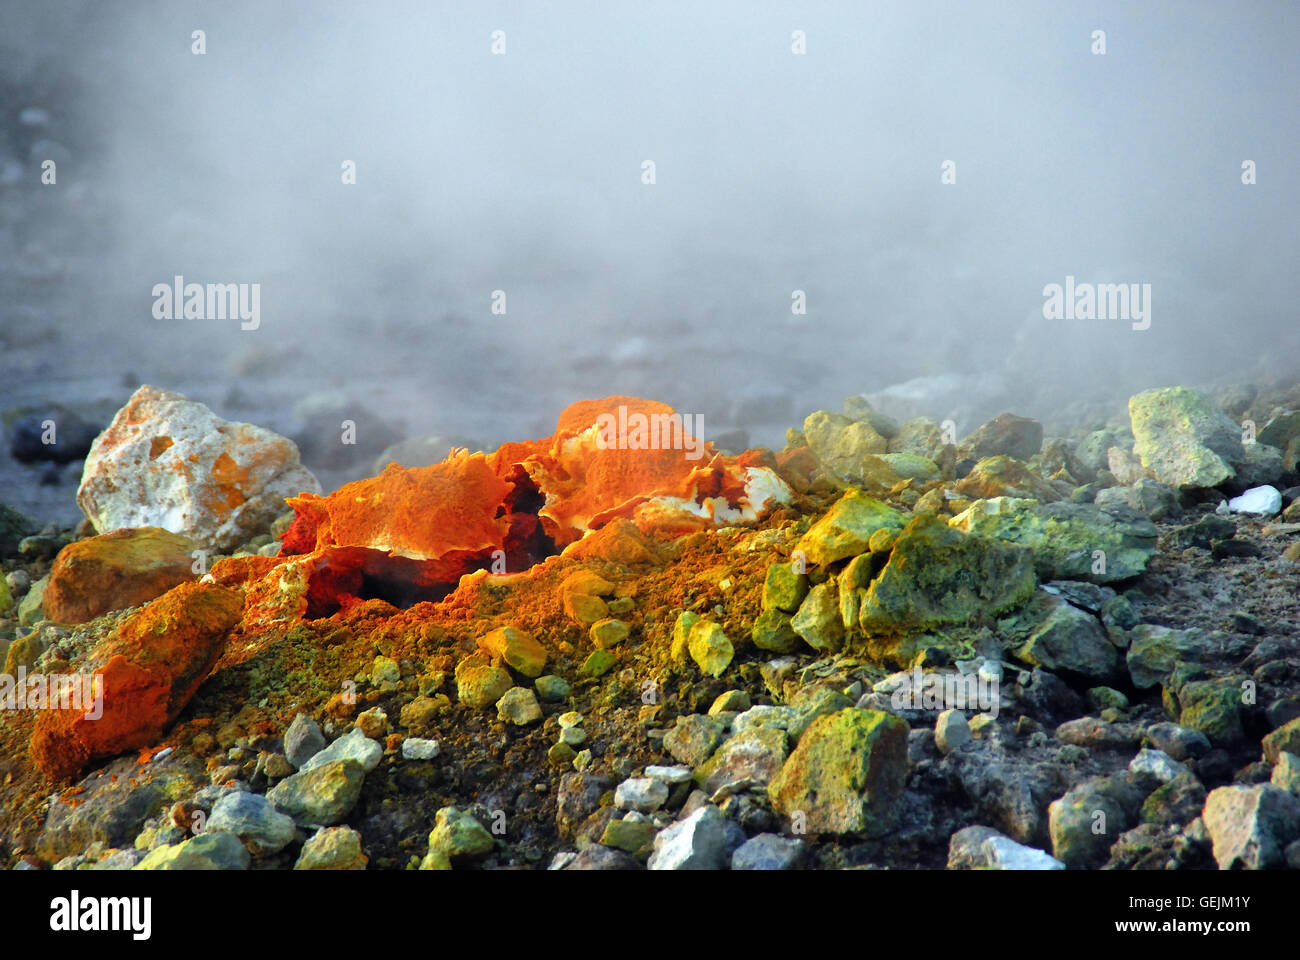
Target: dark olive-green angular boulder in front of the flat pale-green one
(939,576)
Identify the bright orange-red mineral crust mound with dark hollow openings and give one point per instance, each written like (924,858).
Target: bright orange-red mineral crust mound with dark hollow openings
(410,534)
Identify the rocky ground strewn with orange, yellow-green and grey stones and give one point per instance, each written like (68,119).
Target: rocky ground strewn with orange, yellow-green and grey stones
(736,695)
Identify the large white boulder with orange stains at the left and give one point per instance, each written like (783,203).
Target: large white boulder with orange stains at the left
(170,462)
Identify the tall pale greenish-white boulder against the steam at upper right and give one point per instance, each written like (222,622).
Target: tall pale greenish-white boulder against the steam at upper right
(1184,439)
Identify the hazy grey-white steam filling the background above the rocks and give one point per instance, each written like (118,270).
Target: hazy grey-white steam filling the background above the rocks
(523,174)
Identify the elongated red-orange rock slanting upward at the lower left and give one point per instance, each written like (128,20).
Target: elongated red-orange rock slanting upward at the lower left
(148,671)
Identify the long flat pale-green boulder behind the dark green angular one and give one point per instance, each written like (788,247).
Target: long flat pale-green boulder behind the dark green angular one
(1071,542)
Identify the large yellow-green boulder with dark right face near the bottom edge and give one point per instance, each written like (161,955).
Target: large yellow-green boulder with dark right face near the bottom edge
(846,776)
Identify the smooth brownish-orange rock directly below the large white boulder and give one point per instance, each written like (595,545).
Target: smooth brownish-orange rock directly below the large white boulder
(114,572)
